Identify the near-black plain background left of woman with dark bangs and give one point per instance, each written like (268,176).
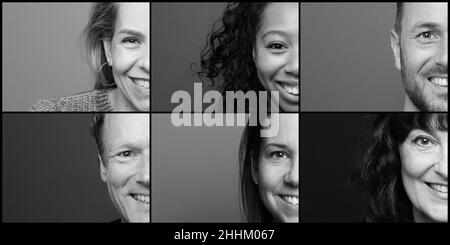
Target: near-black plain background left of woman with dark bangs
(331,146)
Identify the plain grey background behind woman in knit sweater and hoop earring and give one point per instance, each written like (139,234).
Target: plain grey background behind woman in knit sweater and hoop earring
(42,52)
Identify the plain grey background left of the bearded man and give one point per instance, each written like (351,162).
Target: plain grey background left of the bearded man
(346,59)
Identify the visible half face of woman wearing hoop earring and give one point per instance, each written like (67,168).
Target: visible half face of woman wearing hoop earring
(128,53)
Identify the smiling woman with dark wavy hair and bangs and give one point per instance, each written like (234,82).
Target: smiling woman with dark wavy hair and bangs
(405,169)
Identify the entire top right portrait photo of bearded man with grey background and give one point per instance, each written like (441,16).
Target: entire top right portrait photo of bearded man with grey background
(374,56)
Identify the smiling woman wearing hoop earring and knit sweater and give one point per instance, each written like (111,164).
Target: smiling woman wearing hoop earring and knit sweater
(117,48)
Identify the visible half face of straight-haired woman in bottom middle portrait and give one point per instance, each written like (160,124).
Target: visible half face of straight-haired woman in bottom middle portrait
(277,171)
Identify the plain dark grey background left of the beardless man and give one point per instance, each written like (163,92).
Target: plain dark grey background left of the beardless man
(50,171)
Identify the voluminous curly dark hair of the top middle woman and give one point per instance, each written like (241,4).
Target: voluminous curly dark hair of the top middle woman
(227,57)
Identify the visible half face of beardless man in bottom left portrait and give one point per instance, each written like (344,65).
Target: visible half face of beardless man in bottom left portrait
(126,169)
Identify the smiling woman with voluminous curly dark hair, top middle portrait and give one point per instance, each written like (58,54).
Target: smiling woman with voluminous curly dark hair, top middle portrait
(255,49)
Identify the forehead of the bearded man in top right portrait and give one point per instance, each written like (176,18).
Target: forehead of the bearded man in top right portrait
(425,12)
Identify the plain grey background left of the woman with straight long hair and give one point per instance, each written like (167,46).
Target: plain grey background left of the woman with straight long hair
(194,172)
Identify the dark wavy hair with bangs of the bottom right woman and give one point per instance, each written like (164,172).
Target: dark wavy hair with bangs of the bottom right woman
(380,175)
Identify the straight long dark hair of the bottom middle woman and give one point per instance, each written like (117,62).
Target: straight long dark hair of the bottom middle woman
(254,209)
